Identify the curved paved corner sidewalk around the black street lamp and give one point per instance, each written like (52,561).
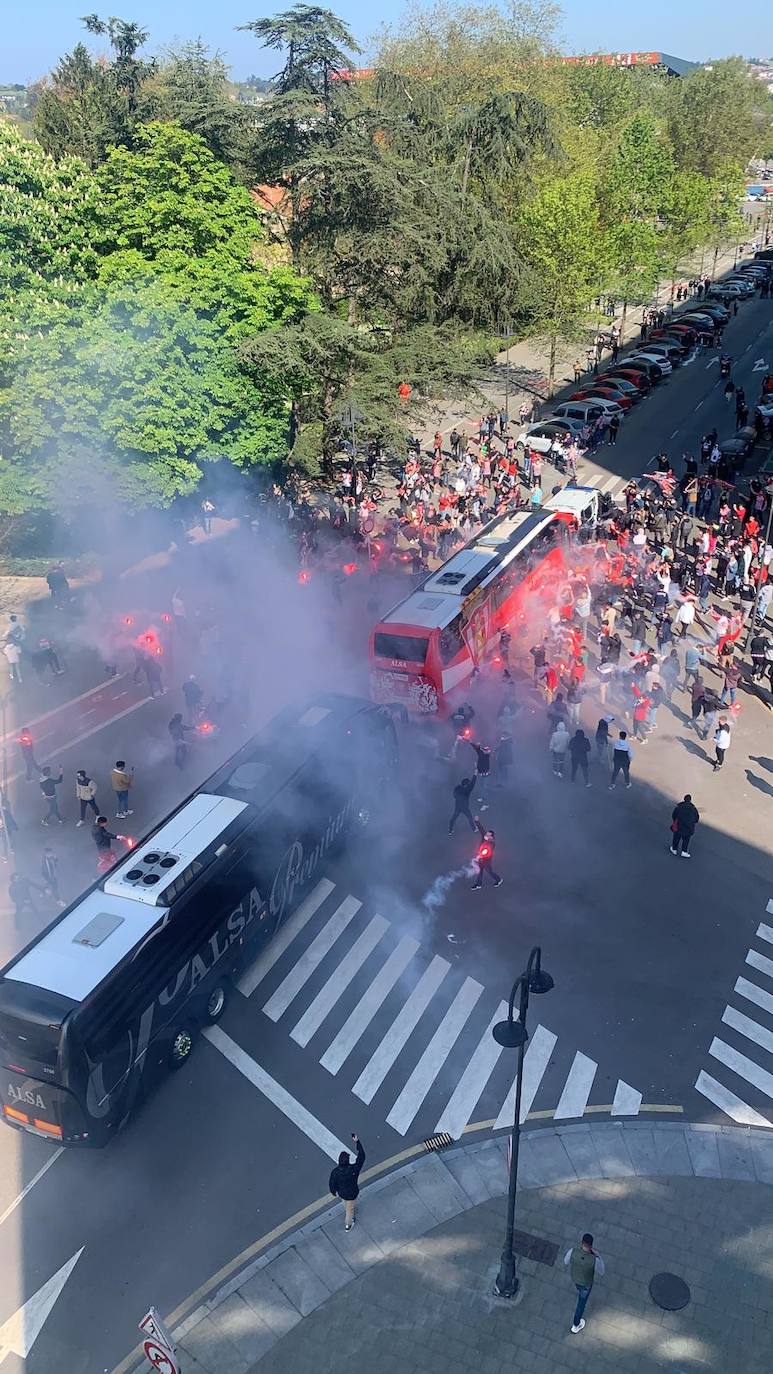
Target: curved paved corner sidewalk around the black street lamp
(410,1289)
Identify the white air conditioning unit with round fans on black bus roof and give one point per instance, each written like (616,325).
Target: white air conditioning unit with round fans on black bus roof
(163,868)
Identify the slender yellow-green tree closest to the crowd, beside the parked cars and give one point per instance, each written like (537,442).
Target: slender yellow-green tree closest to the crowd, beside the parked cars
(565,251)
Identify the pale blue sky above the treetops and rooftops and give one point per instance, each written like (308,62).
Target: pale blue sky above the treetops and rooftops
(38,34)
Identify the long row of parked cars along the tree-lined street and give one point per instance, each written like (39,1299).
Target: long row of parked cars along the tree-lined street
(614,391)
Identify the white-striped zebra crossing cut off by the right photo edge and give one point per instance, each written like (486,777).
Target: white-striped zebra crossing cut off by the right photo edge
(734,1055)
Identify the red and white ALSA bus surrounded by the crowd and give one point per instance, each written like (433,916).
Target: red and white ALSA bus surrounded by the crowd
(425,651)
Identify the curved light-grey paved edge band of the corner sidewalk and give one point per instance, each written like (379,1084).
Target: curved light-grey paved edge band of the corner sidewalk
(234,1329)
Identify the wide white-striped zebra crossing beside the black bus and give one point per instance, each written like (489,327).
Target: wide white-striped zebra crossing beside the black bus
(403,1028)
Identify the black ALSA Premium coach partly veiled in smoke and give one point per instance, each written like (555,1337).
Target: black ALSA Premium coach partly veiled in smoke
(115,990)
